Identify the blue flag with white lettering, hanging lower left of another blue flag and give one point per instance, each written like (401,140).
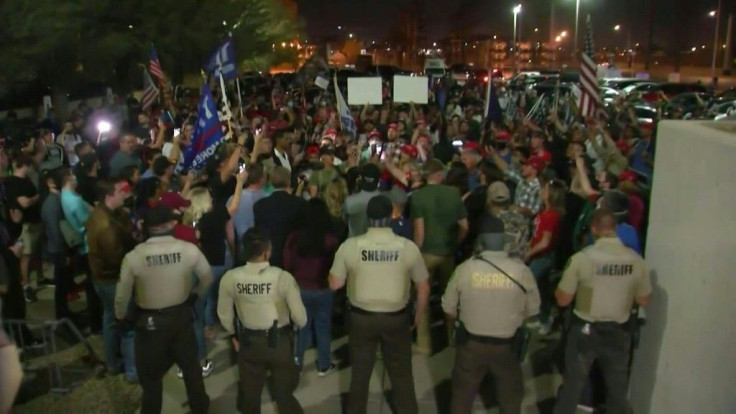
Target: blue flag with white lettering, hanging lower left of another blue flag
(207,133)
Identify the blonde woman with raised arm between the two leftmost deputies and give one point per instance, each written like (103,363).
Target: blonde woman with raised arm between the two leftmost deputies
(214,229)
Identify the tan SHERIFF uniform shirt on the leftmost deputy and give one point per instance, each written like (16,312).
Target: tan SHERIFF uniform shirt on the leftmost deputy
(161,272)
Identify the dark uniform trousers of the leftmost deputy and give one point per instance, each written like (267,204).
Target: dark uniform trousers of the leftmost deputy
(163,338)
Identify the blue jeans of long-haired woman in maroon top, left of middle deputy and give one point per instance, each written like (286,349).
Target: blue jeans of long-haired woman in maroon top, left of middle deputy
(319,322)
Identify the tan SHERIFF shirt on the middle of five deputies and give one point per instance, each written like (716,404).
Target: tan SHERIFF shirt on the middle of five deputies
(380,265)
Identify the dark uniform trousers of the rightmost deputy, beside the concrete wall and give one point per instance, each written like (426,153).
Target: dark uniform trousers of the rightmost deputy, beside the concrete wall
(608,344)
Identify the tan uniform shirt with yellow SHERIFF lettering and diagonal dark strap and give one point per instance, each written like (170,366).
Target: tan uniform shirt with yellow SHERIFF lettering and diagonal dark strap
(486,301)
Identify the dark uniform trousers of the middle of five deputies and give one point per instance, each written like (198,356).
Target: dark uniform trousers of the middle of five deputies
(393,332)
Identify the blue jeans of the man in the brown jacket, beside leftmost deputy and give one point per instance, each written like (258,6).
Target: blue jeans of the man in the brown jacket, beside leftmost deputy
(114,338)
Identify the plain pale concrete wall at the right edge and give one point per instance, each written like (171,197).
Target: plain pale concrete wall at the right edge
(687,358)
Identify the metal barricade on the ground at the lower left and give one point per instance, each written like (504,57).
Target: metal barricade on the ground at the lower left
(61,378)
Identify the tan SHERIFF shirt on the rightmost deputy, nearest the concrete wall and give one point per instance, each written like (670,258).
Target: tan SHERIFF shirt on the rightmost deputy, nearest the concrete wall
(607,277)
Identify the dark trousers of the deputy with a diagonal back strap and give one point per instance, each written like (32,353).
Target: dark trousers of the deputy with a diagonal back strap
(473,361)
